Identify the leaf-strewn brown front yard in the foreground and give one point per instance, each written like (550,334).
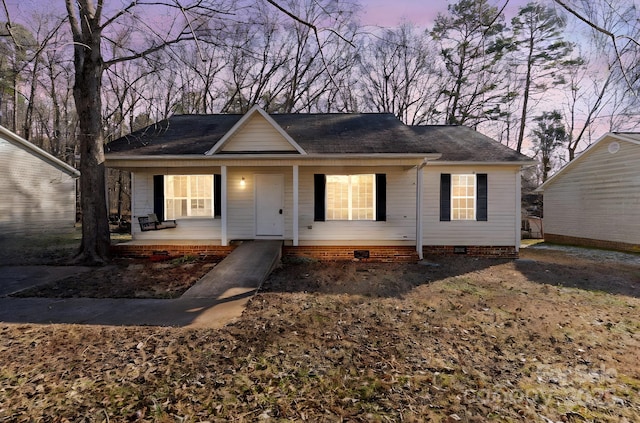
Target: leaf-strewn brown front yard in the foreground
(552,337)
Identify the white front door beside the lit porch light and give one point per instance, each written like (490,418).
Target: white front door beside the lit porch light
(269,205)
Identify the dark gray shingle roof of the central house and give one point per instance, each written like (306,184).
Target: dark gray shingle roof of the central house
(357,133)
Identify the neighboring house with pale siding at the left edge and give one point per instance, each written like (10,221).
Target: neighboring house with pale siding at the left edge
(37,190)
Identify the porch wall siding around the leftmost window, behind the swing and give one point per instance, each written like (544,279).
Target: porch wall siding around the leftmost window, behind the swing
(198,228)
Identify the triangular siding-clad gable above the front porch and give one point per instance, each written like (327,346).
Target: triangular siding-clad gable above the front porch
(257,135)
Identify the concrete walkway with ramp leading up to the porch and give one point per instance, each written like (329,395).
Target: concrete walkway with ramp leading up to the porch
(214,301)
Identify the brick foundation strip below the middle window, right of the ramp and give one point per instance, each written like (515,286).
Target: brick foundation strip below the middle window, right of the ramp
(340,253)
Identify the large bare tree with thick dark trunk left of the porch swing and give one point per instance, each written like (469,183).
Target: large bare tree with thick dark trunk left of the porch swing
(89,29)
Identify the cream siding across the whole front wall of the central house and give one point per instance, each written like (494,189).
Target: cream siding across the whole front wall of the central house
(398,229)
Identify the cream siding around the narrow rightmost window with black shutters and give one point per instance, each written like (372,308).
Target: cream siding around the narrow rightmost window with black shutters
(503,198)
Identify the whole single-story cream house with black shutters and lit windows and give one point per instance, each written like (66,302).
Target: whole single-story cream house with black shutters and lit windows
(329,185)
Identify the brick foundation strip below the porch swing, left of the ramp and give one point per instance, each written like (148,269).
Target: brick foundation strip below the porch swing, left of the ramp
(144,251)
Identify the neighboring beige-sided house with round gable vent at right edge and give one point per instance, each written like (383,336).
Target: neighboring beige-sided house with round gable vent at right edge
(595,199)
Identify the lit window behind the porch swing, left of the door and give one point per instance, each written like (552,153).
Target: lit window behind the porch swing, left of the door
(188,196)
